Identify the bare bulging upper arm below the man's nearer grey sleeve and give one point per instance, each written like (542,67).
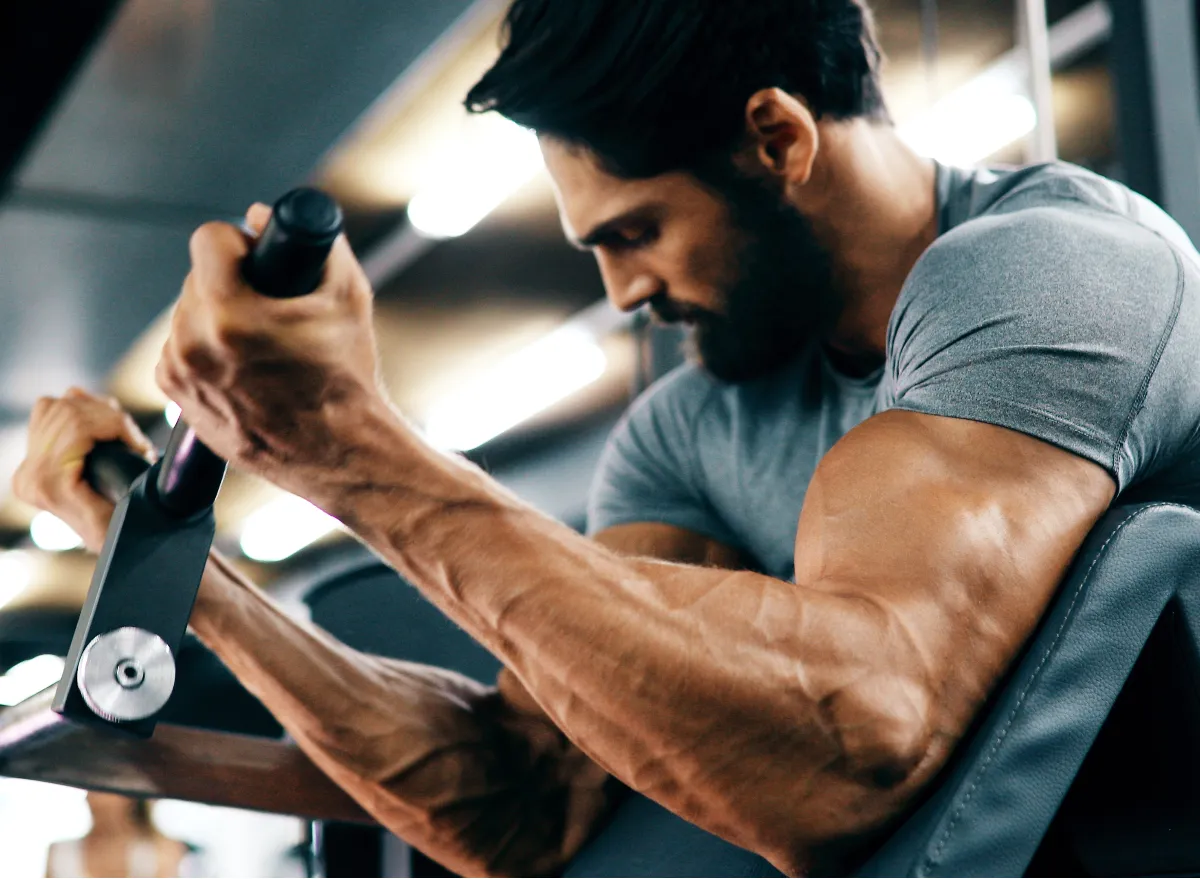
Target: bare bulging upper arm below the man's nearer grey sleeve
(957,531)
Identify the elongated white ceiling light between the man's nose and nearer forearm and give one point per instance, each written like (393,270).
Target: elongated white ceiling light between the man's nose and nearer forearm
(515,390)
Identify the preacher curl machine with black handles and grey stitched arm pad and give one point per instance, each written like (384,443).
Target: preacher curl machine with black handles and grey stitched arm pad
(1082,763)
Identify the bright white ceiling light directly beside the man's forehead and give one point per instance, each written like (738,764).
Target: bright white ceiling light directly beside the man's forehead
(473,178)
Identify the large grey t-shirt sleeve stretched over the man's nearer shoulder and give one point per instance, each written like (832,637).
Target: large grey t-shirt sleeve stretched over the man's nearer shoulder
(1051,321)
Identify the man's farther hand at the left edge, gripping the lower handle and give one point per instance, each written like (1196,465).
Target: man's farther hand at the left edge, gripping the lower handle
(62,433)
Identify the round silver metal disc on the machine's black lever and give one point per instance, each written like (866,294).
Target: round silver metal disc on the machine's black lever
(127,674)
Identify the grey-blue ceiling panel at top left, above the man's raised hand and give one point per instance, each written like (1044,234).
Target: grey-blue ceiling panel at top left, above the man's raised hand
(217,103)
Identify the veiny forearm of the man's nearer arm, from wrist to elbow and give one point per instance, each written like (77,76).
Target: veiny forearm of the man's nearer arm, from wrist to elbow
(725,696)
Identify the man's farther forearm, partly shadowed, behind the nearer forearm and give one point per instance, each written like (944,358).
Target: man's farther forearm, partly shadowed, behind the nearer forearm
(465,773)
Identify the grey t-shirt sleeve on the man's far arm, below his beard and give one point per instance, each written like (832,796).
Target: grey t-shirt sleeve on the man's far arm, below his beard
(650,471)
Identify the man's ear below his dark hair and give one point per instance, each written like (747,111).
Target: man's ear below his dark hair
(783,133)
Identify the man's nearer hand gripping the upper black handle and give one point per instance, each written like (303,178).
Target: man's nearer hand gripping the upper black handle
(273,386)
